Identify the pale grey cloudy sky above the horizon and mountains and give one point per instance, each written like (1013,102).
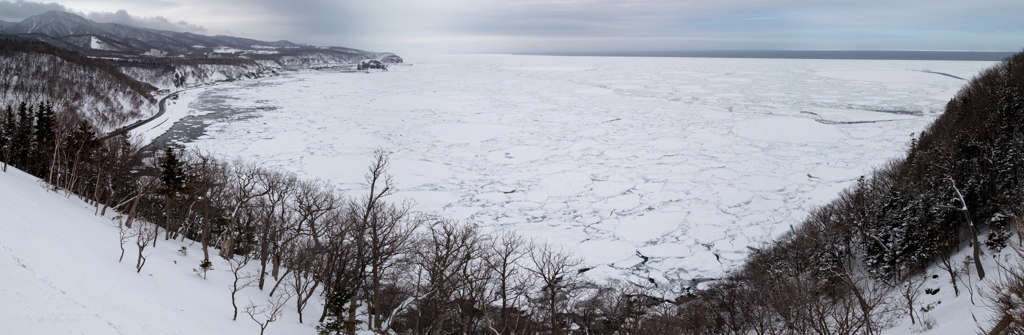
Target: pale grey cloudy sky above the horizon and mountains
(576,26)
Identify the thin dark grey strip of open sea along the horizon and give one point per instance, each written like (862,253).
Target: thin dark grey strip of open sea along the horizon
(803,55)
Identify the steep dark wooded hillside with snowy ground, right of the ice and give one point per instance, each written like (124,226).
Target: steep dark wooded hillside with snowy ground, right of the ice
(943,219)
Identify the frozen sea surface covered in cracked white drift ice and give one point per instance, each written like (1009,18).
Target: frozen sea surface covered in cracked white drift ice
(686,161)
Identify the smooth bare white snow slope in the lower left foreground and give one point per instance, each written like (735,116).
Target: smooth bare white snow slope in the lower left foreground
(59,266)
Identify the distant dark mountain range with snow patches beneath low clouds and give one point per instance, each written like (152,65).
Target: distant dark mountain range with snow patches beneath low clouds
(72,32)
